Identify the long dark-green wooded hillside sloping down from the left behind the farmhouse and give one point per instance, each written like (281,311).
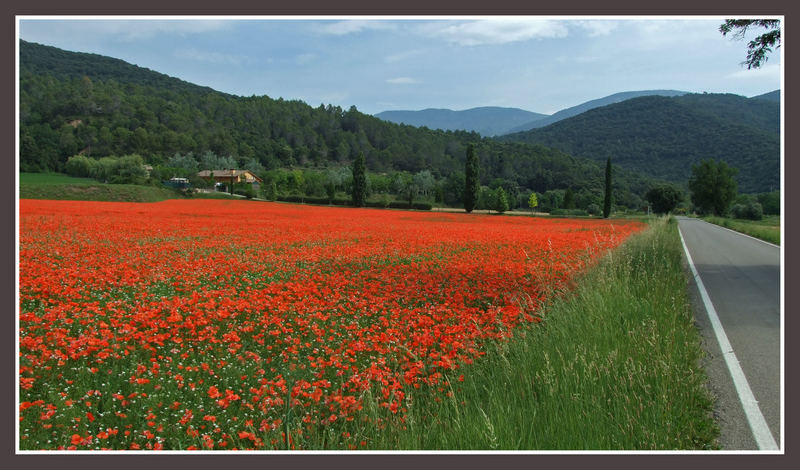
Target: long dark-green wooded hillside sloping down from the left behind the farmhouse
(87,104)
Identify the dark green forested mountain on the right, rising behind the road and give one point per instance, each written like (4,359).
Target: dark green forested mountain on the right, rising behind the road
(663,137)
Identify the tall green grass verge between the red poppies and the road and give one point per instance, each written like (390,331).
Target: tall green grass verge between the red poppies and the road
(614,365)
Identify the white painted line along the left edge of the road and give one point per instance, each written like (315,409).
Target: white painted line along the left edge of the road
(758,425)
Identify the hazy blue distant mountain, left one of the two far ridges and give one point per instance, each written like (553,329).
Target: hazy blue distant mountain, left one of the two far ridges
(487,121)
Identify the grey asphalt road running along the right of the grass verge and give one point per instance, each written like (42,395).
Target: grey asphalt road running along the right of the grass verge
(742,277)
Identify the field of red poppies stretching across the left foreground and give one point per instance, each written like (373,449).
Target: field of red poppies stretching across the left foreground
(212,324)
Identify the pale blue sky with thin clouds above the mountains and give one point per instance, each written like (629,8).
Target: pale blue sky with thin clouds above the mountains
(540,64)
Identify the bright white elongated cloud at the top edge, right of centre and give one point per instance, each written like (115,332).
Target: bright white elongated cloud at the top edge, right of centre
(497,31)
